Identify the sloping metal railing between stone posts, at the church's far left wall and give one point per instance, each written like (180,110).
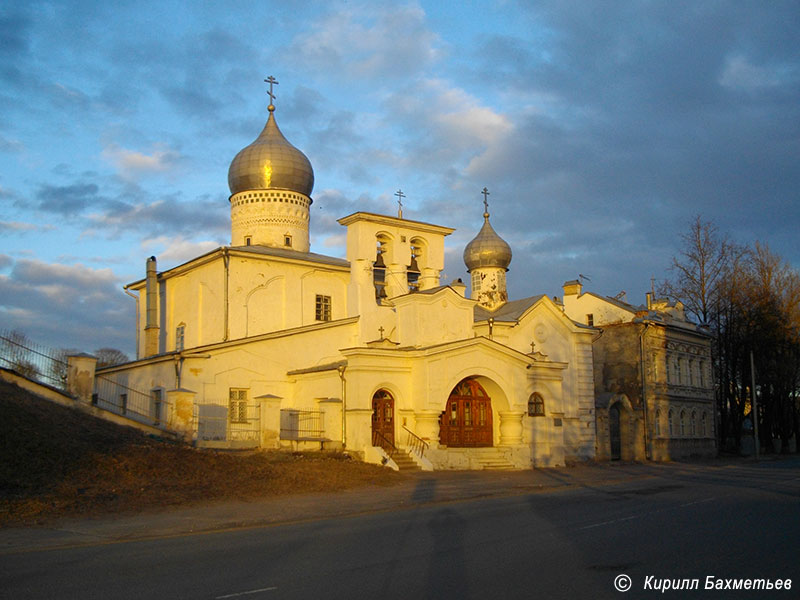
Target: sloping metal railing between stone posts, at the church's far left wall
(150,408)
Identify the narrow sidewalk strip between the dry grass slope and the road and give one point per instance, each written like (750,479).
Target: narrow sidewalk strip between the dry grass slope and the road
(413,490)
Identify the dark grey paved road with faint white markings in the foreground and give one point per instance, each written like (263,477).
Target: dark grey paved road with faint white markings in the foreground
(670,522)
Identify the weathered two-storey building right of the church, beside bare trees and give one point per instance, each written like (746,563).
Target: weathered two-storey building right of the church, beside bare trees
(653,382)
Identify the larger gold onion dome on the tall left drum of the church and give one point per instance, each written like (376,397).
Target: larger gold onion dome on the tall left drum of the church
(271,162)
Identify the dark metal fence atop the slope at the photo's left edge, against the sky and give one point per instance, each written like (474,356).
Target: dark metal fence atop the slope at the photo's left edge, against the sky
(34,361)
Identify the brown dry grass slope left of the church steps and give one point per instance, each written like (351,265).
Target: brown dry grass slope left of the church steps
(59,462)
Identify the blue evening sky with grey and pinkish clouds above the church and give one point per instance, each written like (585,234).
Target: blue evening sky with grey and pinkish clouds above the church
(601,129)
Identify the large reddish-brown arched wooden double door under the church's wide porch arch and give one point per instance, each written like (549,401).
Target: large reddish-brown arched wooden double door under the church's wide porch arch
(467,419)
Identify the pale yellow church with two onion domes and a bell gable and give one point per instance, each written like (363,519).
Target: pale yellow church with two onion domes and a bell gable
(266,343)
